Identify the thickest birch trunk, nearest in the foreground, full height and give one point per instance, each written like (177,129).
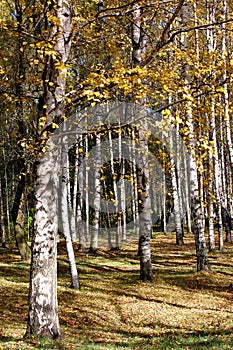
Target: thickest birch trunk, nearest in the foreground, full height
(43,306)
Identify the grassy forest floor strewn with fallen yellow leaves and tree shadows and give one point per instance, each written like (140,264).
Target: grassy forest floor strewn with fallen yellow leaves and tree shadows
(180,309)
